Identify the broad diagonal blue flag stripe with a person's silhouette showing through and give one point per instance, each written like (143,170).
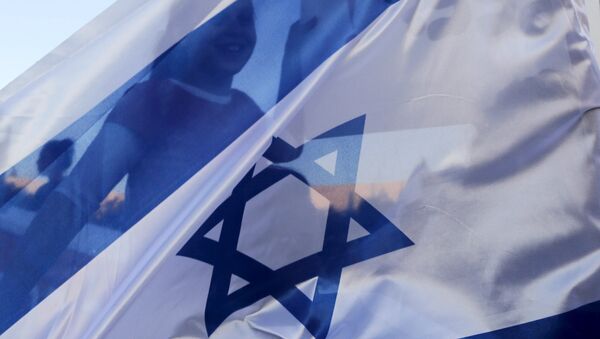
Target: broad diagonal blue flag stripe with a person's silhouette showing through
(148,138)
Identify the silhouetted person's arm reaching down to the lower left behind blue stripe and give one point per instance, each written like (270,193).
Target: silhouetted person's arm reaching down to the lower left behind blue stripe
(67,209)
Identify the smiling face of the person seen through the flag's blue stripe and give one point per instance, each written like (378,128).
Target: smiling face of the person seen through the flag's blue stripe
(228,39)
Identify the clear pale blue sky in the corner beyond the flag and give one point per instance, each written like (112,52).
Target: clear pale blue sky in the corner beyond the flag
(30,29)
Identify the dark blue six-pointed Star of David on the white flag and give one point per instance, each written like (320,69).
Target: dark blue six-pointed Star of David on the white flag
(326,265)
